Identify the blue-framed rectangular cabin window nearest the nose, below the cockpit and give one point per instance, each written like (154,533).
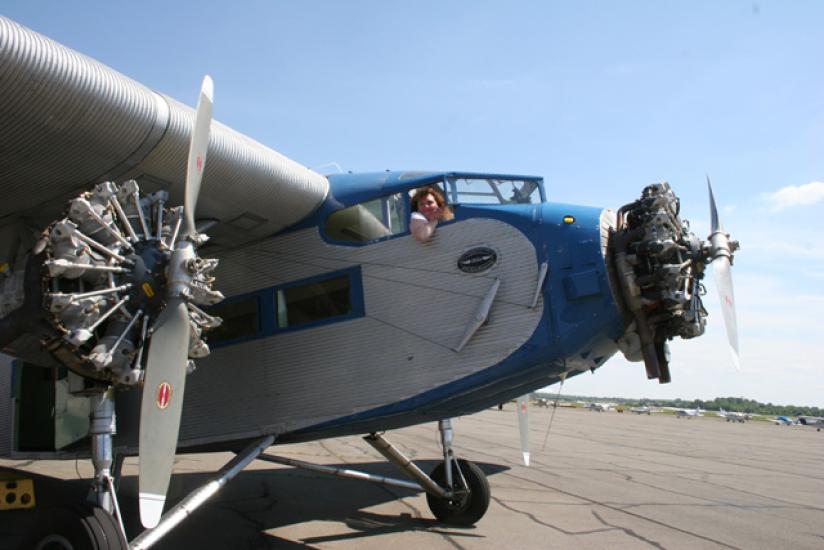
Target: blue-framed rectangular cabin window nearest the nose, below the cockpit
(313,301)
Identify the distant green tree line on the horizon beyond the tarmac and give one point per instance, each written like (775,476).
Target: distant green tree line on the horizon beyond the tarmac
(734,404)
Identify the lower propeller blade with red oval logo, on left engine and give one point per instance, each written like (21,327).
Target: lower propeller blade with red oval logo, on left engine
(161,407)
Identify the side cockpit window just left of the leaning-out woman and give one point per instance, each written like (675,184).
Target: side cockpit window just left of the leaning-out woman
(368,221)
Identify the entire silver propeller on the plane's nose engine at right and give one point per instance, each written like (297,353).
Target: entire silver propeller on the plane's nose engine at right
(721,249)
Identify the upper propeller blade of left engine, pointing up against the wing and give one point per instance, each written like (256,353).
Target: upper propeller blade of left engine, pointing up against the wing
(197,153)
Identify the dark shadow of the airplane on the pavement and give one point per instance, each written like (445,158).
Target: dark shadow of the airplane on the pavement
(256,501)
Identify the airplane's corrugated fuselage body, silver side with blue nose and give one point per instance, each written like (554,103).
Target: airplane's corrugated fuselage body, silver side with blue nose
(397,362)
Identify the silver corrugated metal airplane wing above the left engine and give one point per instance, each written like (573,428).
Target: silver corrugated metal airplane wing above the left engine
(70,122)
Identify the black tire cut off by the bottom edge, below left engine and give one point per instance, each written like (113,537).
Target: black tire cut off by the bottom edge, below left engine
(82,527)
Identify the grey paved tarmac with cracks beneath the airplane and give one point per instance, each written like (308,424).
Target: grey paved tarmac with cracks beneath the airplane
(605,480)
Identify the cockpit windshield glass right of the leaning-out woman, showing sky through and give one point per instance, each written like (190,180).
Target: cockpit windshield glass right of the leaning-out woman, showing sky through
(477,190)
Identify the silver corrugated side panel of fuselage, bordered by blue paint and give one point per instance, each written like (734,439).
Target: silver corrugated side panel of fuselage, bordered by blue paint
(417,306)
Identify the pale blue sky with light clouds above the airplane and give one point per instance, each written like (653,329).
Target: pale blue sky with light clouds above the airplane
(600,98)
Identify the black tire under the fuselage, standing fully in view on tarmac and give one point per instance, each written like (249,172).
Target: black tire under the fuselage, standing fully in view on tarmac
(468,509)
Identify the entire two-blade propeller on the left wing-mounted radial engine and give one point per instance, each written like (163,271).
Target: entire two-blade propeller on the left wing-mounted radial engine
(167,361)
